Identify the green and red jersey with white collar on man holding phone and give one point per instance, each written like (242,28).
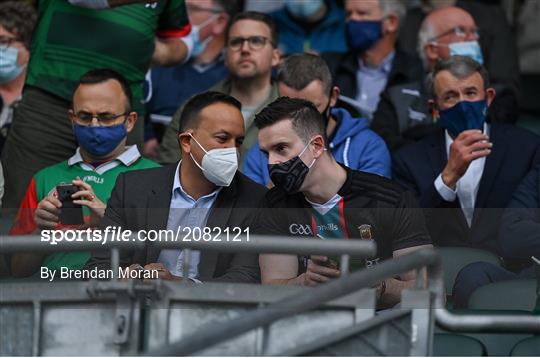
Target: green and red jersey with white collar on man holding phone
(102,179)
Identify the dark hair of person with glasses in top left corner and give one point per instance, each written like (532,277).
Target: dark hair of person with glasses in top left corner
(19,18)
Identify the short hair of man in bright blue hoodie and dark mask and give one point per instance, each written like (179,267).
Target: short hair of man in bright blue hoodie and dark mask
(299,70)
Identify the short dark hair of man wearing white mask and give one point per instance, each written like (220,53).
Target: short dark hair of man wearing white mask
(189,117)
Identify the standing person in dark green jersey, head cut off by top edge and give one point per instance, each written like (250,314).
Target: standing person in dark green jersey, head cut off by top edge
(71,39)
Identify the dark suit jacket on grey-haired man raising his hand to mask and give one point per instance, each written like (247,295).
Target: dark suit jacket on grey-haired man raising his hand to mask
(416,166)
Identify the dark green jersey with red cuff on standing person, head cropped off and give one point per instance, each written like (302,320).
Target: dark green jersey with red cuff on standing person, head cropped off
(71,40)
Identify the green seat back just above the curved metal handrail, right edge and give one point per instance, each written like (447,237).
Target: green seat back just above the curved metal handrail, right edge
(505,295)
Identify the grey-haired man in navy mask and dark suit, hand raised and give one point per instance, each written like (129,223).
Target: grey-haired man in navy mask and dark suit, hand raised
(468,171)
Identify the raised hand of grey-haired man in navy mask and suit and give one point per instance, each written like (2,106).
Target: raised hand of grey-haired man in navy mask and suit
(468,146)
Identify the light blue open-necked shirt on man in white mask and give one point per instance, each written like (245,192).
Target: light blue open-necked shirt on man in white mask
(185,212)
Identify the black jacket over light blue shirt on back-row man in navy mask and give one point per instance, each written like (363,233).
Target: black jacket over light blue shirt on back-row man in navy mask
(344,66)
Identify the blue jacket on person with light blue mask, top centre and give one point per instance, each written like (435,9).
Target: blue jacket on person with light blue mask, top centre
(328,35)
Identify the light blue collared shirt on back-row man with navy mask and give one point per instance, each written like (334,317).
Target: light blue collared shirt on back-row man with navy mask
(372,81)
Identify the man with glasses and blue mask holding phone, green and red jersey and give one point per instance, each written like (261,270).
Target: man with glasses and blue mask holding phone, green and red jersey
(101,117)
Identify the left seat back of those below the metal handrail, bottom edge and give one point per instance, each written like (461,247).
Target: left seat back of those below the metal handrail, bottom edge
(456,345)
